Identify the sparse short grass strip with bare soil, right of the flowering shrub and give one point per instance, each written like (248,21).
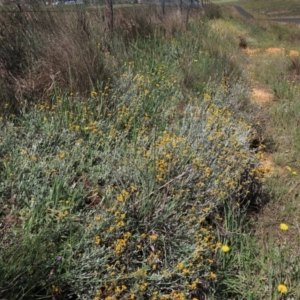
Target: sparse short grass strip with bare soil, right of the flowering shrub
(268,256)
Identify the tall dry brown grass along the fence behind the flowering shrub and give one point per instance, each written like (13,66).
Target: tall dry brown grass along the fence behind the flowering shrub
(70,50)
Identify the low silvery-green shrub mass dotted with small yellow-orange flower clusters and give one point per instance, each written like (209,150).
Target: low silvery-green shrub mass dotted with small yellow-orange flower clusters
(138,176)
